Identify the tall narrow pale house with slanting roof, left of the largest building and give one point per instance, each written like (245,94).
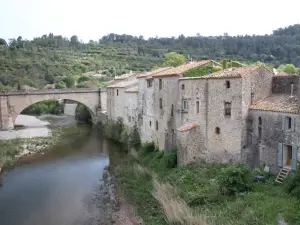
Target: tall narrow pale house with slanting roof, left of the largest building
(158,96)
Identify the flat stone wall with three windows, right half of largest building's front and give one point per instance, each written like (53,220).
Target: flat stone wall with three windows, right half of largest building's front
(224,146)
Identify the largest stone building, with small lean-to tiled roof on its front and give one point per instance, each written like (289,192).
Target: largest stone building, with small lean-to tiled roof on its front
(214,109)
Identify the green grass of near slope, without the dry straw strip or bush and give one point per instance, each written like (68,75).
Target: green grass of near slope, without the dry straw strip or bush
(195,185)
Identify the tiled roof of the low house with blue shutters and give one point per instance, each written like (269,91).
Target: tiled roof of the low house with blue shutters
(277,103)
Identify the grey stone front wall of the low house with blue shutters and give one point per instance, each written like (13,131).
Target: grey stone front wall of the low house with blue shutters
(264,151)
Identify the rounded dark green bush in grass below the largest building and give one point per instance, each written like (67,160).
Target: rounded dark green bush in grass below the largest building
(234,179)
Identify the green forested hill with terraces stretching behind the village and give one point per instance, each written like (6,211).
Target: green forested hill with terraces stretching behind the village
(53,58)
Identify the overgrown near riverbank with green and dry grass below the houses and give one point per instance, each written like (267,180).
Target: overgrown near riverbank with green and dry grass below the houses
(191,195)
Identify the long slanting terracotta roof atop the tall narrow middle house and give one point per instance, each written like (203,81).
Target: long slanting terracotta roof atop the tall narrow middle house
(179,70)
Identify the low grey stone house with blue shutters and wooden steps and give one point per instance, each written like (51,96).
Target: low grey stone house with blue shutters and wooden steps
(273,127)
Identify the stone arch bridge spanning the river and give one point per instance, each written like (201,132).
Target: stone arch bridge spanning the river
(13,103)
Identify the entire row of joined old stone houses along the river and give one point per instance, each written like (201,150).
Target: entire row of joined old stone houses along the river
(244,114)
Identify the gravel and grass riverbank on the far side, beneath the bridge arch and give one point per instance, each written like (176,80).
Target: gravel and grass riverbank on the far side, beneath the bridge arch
(13,149)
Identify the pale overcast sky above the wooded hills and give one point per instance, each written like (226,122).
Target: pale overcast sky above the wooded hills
(92,19)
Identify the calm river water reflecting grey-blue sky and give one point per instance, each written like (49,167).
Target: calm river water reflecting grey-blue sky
(58,187)
